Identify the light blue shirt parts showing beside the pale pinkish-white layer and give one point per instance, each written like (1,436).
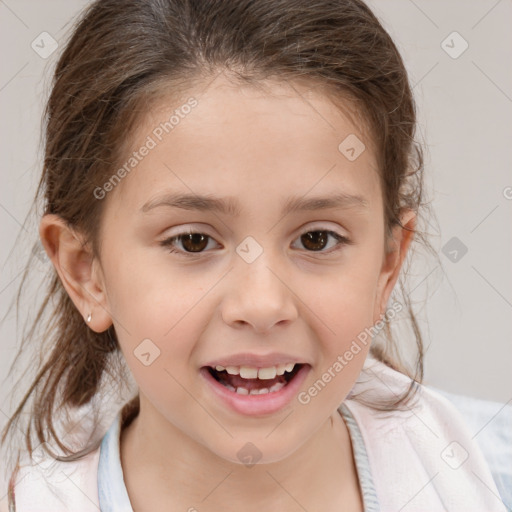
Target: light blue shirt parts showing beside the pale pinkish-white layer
(491,423)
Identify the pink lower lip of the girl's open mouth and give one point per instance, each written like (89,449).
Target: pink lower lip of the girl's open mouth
(257,405)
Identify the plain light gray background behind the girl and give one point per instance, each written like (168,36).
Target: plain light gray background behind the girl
(465,107)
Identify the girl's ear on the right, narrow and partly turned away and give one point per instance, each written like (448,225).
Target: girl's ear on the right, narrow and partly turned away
(394,255)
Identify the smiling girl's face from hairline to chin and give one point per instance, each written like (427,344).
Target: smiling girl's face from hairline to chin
(270,281)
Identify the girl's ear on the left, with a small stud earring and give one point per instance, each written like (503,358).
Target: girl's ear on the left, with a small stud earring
(79,272)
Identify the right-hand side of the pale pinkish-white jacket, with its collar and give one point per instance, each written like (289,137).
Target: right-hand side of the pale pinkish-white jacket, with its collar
(424,458)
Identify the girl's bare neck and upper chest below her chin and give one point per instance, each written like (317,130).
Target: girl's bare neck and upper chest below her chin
(164,465)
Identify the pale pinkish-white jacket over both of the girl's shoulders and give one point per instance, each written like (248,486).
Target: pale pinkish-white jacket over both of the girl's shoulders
(421,458)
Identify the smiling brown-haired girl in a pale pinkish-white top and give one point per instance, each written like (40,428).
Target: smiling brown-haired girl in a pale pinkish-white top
(231,190)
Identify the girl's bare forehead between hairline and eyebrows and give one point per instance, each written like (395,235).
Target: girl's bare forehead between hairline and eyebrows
(273,141)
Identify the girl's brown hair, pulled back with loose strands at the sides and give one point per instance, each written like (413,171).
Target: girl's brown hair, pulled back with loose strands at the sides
(119,58)
